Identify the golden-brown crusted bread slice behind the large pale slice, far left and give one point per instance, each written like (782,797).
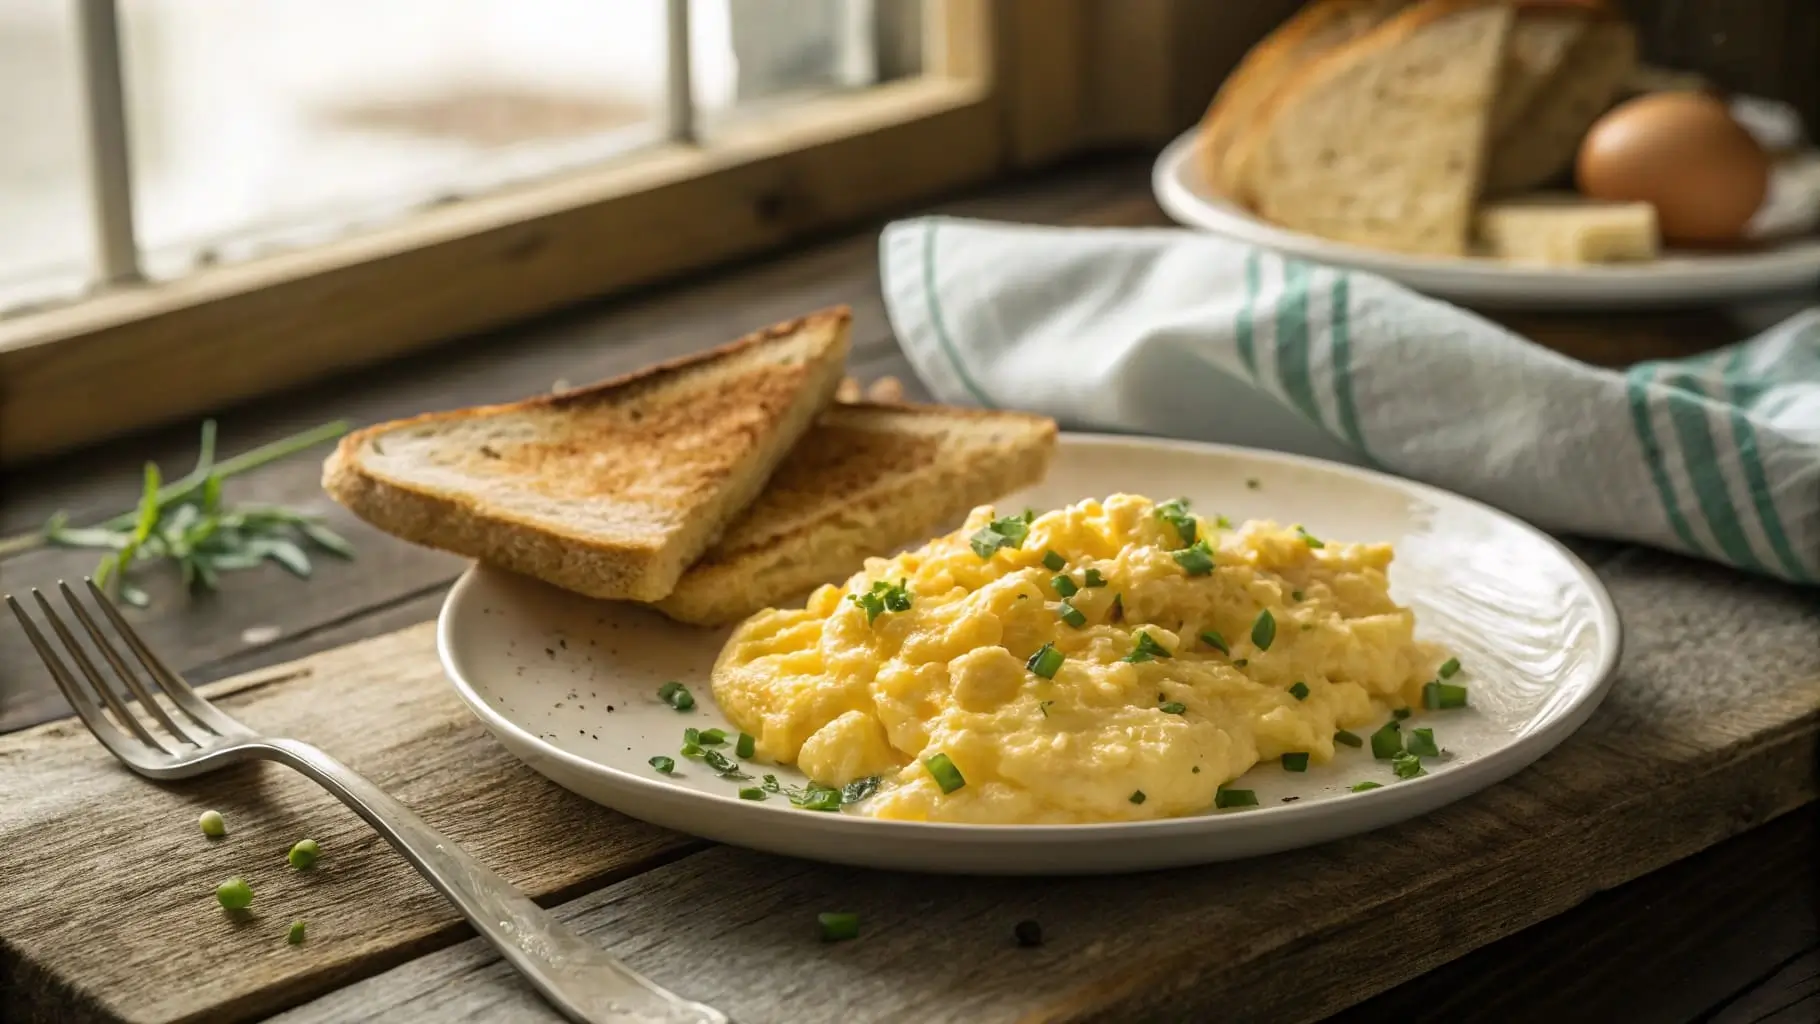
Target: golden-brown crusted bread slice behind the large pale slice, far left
(1315,30)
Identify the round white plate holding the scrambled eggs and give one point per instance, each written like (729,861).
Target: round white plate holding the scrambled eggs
(569,685)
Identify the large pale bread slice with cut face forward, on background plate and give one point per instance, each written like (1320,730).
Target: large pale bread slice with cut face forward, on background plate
(1382,143)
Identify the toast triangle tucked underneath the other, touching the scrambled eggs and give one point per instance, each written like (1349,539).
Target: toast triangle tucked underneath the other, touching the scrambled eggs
(867,481)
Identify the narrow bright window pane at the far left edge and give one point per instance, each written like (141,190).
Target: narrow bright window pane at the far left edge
(46,250)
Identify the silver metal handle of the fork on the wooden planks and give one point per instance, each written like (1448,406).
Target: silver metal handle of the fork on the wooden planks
(587,983)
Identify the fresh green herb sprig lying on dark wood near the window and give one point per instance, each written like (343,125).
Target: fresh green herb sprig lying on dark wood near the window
(190,525)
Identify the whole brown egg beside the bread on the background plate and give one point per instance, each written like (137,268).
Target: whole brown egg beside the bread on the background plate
(1683,154)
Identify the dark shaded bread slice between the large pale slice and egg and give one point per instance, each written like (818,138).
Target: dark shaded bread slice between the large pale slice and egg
(1542,141)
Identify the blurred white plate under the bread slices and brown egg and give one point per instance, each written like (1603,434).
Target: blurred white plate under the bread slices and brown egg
(1672,281)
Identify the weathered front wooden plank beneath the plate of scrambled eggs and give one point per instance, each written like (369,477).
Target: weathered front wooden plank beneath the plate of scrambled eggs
(1699,741)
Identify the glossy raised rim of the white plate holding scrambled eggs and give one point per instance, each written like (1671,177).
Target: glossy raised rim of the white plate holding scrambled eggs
(1413,796)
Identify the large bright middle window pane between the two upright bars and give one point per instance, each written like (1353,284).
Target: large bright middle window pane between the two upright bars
(287,123)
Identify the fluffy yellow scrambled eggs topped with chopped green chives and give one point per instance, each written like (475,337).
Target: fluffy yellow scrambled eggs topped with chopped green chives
(1109,661)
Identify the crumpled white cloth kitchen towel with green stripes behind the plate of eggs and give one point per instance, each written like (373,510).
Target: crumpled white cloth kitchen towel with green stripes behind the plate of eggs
(1182,334)
